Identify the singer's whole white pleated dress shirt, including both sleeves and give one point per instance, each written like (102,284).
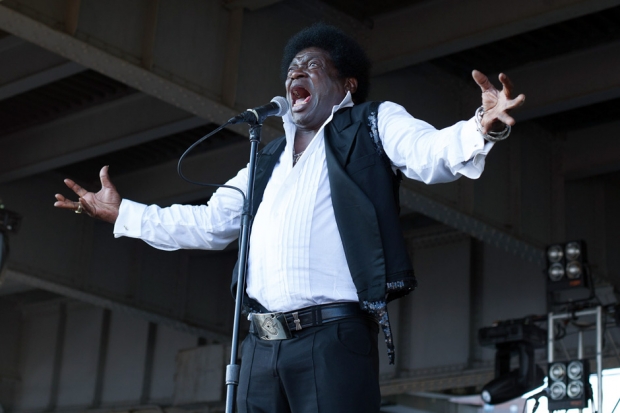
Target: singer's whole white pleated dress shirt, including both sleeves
(296,257)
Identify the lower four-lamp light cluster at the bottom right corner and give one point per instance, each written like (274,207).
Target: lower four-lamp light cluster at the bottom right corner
(568,386)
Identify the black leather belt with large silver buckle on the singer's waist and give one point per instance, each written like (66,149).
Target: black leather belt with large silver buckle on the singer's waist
(278,326)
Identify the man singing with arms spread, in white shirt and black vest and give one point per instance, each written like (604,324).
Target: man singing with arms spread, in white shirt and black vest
(326,249)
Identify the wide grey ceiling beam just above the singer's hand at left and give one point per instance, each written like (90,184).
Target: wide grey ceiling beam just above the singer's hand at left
(119,124)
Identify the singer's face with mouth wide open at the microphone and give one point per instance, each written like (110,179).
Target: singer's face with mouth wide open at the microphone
(313,87)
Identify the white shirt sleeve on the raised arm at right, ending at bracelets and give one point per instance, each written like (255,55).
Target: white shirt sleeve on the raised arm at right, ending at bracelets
(431,155)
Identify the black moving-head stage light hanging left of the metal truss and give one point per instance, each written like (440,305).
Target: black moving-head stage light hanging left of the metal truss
(518,338)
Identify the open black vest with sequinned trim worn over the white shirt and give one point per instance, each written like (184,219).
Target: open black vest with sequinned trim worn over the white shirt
(364,192)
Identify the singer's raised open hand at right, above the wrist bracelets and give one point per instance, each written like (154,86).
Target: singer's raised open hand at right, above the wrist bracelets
(496,103)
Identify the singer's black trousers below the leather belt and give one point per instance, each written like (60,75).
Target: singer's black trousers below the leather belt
(332,368)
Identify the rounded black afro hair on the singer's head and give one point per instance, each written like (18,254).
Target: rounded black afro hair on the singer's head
(346,54)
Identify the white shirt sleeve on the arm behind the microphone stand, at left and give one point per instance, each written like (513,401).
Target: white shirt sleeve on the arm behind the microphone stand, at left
(211,226)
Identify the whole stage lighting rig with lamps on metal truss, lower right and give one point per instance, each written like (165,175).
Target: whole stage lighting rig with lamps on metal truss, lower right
(570,291)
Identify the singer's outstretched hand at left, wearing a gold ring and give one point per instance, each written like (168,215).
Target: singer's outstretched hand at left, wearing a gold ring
(103,205)
